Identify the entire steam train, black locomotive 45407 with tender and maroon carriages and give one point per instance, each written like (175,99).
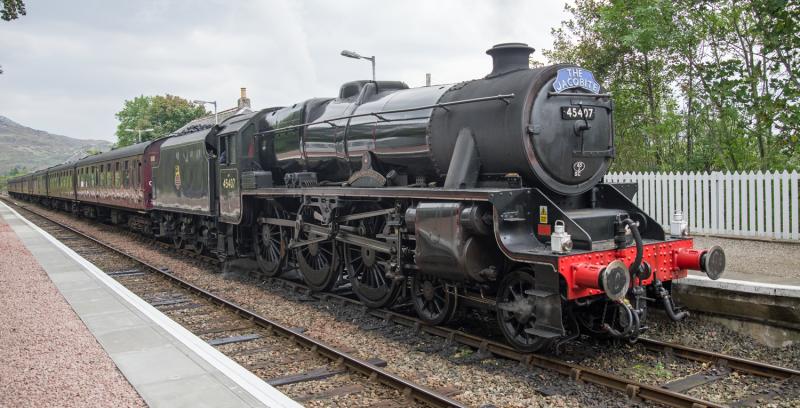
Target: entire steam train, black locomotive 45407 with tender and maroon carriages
(486,193)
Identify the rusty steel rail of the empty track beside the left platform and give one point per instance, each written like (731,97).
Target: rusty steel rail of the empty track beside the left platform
(409,389)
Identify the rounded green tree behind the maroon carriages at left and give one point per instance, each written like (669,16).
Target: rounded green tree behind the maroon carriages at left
(163,114)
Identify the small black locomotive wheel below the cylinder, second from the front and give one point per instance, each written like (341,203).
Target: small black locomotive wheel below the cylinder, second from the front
(431,300)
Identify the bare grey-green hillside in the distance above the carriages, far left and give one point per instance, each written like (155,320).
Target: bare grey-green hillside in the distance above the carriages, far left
(21,146)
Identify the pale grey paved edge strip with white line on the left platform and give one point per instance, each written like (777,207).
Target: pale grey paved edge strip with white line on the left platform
(166,364)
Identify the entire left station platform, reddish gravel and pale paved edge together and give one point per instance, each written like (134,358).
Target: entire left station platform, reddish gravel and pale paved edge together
(164,363)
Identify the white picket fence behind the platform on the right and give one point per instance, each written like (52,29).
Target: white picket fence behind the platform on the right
(751,204)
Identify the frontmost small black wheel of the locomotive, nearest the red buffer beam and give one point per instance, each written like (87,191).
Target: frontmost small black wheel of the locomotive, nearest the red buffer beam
(516,311)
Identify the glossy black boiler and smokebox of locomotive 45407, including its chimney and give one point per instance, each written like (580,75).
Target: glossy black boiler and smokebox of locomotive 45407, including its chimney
(510,122)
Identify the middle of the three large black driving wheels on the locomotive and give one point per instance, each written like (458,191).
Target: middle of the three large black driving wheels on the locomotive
(318,262)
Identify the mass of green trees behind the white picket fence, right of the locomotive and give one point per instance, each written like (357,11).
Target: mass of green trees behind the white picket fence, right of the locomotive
(697,85)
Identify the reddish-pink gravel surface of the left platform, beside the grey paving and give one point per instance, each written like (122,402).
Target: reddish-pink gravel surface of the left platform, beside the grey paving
(49,358)
